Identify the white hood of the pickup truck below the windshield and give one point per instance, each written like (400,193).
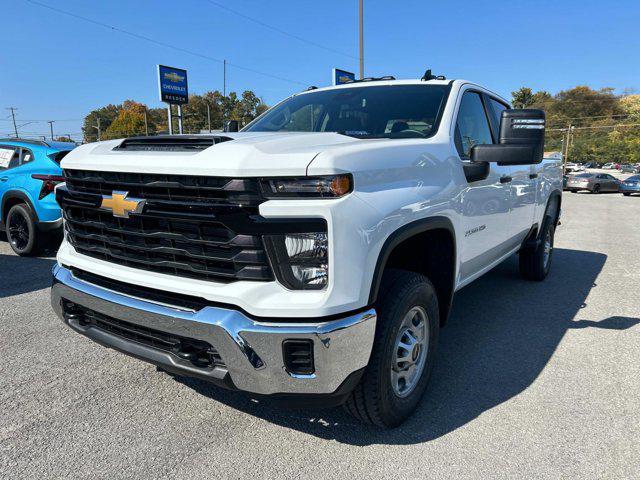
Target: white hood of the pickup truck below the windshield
(247,154)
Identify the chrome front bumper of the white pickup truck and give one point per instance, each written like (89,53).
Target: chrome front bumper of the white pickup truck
(341,347)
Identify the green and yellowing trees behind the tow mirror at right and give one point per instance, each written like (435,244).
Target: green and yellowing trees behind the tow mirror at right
(604,127)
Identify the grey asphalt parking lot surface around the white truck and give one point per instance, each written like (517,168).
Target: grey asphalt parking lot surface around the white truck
(534,380)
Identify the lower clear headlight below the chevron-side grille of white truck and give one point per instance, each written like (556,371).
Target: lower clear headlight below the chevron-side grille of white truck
(300,260)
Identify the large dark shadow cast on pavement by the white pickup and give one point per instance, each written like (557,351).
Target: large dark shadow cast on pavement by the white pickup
(502,332)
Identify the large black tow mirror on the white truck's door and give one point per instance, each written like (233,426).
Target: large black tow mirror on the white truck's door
(521,139)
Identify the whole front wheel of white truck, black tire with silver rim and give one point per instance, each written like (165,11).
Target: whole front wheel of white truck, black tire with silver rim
(403,351)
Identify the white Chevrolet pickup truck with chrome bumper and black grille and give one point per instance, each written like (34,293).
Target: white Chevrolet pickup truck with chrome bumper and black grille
(315,254)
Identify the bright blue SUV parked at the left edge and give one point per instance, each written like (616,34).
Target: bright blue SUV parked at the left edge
(29,171)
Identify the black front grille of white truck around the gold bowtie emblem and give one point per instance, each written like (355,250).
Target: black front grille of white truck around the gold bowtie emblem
(189,227)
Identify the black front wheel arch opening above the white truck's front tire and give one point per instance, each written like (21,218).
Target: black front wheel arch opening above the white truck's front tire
(438,231)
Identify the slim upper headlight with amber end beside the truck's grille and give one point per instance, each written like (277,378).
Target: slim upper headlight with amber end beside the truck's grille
(331,186)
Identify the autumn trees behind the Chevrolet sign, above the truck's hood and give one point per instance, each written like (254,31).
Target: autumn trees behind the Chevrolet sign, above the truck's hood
(131,118)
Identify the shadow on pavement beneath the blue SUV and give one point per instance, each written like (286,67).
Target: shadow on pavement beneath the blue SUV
(24,274)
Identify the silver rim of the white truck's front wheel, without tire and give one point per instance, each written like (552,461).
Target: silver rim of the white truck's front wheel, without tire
(410,352)
